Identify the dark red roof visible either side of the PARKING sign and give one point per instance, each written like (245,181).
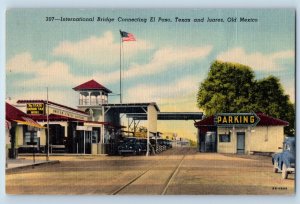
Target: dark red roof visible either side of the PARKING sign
(265,120)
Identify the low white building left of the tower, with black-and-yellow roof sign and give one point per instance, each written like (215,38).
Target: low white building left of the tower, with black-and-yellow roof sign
(67,129)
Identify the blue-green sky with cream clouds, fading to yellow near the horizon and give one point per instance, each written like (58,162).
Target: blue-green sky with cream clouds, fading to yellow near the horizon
(165,64)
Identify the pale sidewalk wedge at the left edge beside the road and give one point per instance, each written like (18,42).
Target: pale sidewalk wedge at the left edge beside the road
(13,164)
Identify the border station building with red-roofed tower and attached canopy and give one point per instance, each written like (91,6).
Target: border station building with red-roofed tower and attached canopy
(95,126)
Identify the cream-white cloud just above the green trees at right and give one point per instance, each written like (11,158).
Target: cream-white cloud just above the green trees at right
(256,60)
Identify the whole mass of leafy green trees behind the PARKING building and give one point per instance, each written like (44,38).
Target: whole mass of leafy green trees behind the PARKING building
(231,87)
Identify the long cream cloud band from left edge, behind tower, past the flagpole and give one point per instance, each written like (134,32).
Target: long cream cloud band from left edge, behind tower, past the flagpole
(57,74)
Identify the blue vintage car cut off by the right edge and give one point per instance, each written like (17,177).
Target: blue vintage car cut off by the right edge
(285,160)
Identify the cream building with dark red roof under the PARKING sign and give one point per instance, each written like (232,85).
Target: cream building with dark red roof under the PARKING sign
(265,137)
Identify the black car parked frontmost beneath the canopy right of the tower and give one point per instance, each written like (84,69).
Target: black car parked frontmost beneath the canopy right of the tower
(130,145)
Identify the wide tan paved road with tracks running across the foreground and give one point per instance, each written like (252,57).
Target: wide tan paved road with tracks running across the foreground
(175,171)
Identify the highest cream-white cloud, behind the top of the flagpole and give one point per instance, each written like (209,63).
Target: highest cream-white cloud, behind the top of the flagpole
(99,50)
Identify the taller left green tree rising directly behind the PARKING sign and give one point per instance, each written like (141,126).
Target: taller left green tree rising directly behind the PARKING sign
(226,89)
